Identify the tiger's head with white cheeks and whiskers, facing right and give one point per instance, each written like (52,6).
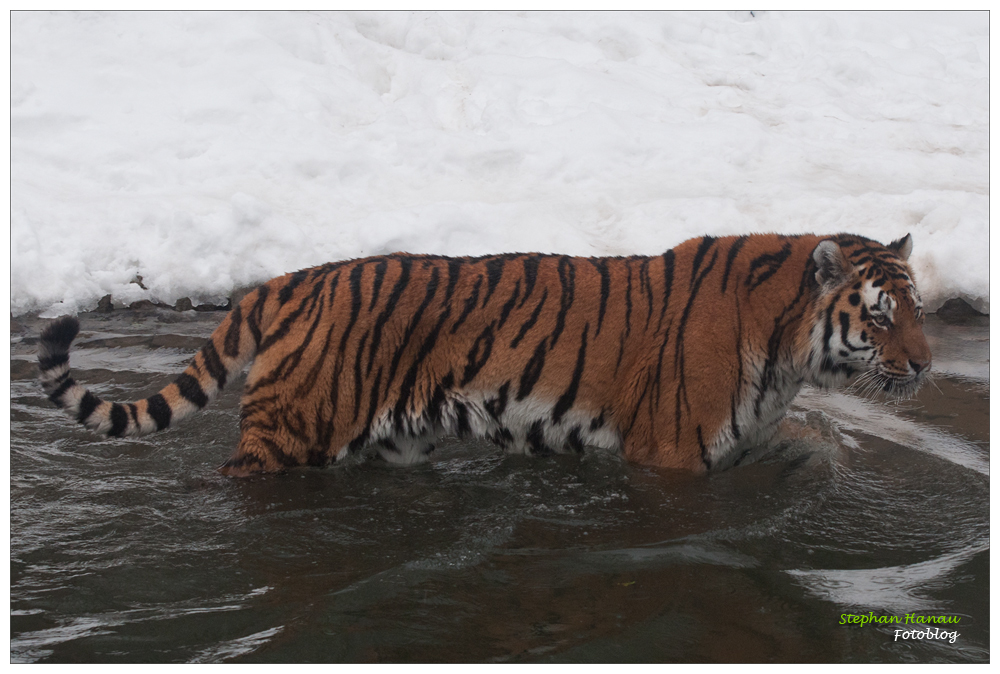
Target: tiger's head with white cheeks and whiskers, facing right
(868,317)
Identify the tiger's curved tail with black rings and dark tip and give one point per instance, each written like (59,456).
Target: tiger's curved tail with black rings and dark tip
(228,350)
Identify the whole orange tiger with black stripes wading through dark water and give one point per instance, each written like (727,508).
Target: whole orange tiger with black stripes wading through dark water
(686,360)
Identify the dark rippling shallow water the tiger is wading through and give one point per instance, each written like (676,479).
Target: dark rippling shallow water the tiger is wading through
(137,551)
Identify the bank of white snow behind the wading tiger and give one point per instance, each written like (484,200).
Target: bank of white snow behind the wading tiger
(210,151)
